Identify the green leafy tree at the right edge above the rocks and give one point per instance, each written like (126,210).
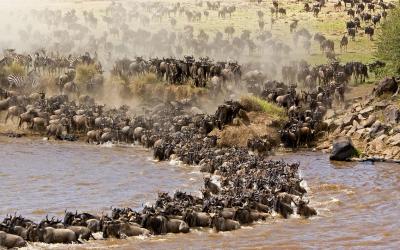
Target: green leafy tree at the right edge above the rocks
(388,44)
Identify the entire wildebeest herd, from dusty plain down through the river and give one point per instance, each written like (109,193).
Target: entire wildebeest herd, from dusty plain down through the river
(243,187)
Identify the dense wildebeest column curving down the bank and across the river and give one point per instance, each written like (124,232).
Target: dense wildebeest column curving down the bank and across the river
(236,198)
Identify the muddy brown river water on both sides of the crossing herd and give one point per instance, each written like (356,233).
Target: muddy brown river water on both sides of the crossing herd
(358,203)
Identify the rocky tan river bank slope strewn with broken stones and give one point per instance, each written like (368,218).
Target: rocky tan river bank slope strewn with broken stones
(371,121)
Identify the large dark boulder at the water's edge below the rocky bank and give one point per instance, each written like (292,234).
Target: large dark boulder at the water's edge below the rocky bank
(343,149)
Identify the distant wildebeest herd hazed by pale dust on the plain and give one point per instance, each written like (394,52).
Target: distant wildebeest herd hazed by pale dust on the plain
(153,30)
